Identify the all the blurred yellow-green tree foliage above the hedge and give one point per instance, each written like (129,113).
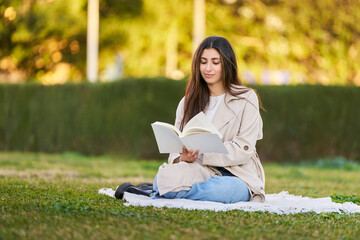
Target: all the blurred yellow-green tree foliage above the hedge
(315,41)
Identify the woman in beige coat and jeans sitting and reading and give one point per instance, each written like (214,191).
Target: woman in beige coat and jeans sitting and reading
(215,89)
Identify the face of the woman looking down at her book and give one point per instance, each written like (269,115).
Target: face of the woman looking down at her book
(210,67)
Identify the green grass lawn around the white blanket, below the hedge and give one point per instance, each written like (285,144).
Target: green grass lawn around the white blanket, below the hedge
(44,196)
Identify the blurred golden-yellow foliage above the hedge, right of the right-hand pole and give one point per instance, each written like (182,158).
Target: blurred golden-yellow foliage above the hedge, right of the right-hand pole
(317,39)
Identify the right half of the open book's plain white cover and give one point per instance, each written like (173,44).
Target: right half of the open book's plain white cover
(205,143)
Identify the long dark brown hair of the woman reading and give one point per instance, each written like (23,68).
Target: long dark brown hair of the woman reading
(197,92)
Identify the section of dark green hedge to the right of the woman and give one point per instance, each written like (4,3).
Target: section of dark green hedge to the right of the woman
(309,122)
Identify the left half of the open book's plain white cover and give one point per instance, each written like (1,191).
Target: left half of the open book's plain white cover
(167,140)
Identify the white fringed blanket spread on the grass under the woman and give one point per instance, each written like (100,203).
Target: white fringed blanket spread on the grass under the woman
(280,203)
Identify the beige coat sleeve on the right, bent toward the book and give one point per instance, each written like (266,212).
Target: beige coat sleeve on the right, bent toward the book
(242,146)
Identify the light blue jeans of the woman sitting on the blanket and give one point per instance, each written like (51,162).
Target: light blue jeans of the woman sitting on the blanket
(225,189)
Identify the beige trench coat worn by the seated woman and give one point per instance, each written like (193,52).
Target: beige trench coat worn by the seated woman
(238,120)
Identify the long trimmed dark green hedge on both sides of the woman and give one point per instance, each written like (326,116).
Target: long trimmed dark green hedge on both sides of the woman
(303,122)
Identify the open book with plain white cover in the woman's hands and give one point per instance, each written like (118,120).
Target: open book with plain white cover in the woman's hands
(198,134)
